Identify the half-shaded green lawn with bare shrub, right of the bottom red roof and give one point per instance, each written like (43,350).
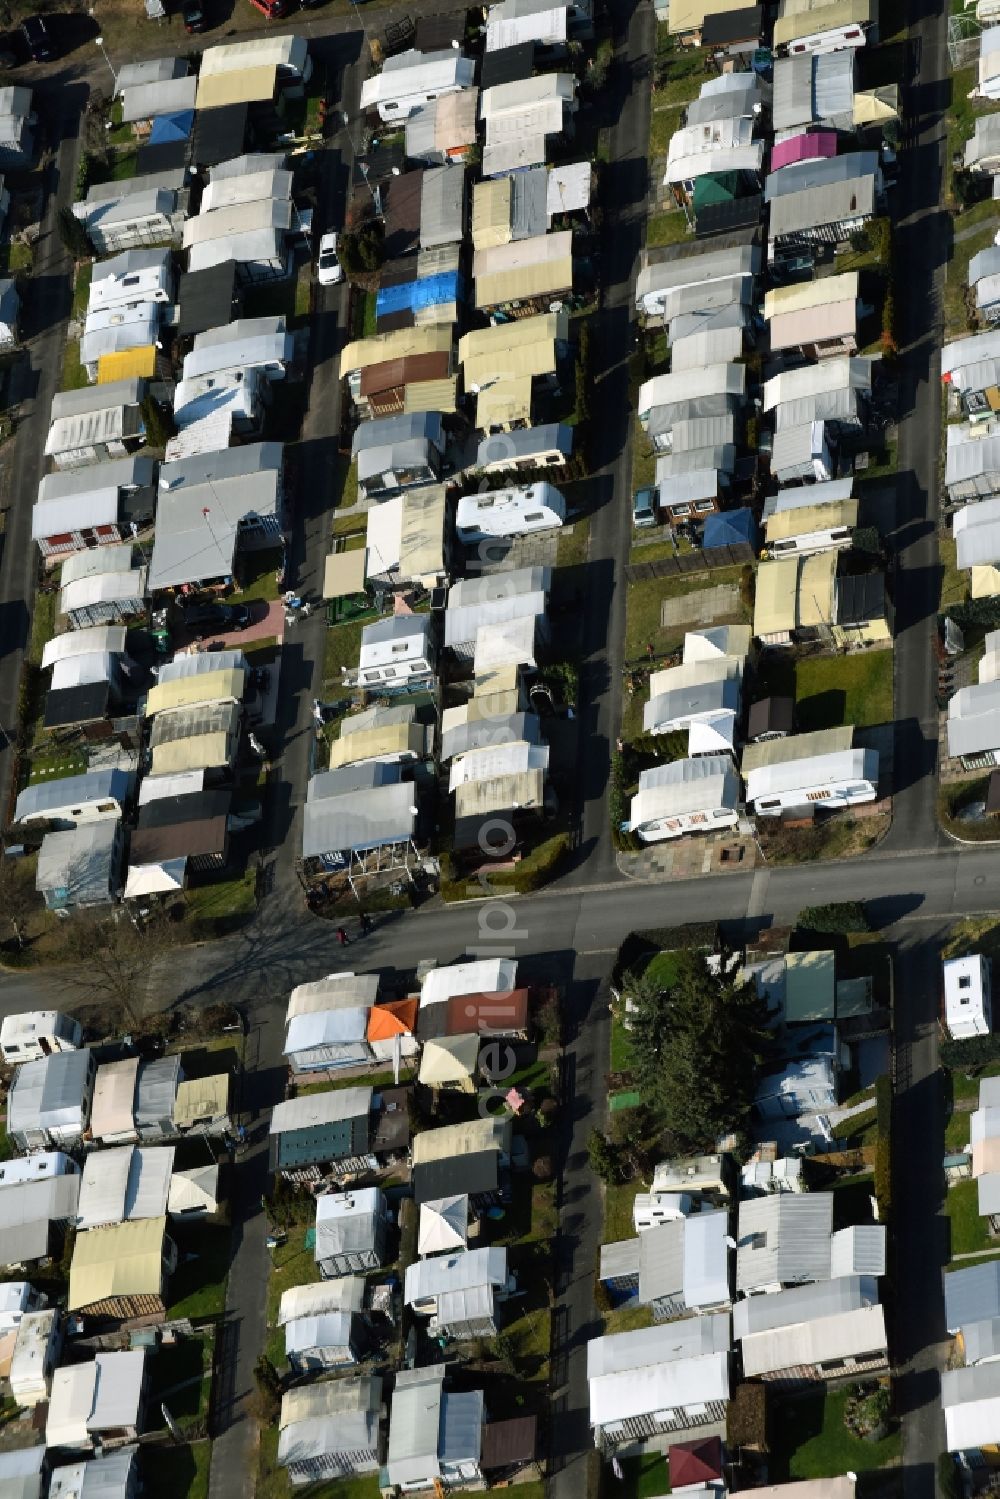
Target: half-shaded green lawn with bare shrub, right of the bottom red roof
(809,1440)
